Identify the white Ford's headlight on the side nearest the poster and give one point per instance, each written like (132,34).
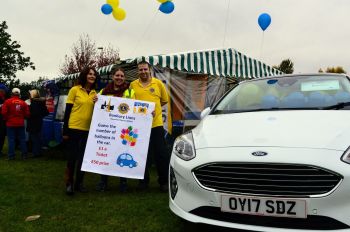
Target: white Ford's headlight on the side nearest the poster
(184,147)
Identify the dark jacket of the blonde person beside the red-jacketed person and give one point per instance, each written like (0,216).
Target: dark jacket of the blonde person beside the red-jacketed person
(38,111)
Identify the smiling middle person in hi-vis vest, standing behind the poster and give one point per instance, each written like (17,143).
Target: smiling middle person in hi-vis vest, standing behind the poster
(117,88)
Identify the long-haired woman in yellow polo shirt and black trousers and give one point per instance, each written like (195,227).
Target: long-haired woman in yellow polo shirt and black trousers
(78,114)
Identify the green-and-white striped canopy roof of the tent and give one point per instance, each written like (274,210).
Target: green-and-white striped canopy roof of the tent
(222,63)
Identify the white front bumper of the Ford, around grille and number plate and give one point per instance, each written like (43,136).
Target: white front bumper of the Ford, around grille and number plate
(196,204)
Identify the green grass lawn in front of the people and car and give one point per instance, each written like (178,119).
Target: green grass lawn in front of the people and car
(36,187)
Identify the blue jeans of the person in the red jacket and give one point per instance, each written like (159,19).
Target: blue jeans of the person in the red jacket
(12,133)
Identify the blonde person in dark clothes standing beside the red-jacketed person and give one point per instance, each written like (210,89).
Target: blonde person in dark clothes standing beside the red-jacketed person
(38,111)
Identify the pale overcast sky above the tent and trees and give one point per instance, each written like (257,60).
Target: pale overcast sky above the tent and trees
(312,33)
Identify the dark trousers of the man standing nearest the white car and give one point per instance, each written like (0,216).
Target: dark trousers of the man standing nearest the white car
(157,148)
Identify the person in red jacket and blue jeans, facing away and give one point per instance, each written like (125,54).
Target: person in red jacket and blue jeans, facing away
(14,111)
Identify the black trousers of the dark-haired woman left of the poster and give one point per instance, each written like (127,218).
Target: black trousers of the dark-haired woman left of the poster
(76,147)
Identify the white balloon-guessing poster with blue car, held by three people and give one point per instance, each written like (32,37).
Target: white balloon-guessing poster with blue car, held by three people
(118,138)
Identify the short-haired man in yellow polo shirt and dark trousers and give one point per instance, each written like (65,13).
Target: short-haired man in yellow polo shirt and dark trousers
(148,88)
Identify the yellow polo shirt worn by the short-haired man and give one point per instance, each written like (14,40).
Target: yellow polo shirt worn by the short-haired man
(155,92)
